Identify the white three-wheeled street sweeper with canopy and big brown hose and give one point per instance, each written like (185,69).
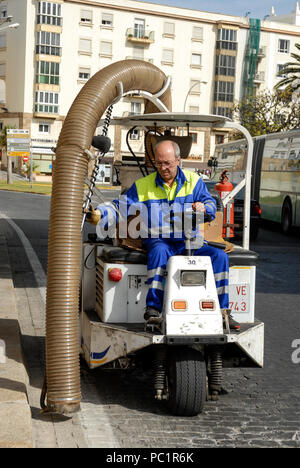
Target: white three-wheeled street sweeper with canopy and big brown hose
(193,344)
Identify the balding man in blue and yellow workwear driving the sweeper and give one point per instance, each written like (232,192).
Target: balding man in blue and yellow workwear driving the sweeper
(172,187)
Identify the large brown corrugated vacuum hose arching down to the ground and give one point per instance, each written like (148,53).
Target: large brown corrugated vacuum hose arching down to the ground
(64,248)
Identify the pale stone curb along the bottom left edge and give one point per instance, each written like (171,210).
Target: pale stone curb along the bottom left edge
(15,414)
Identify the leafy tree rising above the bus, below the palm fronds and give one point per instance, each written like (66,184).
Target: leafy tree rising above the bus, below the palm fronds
(267,113)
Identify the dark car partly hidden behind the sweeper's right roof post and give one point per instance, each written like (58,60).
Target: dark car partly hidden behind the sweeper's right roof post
(255,212)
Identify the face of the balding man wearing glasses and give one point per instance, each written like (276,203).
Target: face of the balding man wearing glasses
(165,161)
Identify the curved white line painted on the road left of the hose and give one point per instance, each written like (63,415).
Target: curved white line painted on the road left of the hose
(36,266)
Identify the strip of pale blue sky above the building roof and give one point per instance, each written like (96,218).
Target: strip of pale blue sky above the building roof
(257,8)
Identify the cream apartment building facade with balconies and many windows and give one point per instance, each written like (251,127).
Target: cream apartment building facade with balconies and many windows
(60,44)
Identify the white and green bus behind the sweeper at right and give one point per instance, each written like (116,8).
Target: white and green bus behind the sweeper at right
(275,173)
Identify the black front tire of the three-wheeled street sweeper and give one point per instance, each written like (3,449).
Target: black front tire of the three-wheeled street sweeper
(186,374)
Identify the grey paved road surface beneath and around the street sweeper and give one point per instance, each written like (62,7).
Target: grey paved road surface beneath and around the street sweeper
(262,406)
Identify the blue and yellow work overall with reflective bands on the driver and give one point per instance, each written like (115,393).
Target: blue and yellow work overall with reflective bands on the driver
(151,197)
